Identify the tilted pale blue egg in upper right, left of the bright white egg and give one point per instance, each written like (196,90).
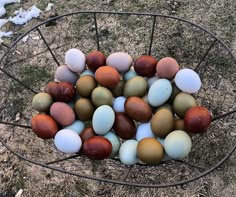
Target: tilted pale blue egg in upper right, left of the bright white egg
(159,92)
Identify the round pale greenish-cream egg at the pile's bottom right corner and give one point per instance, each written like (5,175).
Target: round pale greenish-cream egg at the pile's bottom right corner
(178,144)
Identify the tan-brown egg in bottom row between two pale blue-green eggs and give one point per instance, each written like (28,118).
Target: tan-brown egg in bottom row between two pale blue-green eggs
(150,151)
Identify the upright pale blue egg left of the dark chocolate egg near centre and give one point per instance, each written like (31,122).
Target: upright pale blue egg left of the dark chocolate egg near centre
(103,119)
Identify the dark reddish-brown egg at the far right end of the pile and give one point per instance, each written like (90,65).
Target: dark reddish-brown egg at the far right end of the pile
(197,119)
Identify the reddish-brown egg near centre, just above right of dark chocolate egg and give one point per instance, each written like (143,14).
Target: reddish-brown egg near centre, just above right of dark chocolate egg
(138,109)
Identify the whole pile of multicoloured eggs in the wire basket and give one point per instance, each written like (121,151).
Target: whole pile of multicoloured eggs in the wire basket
(140,110)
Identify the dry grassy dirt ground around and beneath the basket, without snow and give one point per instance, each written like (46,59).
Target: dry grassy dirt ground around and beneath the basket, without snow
(33,65)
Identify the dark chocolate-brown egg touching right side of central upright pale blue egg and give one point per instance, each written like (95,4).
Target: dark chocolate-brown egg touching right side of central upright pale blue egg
(124,126)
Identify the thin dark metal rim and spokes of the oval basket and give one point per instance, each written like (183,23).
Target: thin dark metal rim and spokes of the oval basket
(94,14)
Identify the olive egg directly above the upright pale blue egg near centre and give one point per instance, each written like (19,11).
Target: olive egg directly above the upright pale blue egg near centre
(102,96)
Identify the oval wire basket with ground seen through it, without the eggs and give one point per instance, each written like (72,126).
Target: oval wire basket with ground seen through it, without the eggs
(31,60)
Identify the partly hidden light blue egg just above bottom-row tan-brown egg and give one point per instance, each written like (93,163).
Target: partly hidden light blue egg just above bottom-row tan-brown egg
(144,131)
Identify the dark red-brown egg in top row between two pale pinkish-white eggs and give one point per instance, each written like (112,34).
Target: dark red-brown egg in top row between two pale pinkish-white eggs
(95,59)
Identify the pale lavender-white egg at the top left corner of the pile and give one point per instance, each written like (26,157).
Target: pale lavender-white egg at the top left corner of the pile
(75,60)
